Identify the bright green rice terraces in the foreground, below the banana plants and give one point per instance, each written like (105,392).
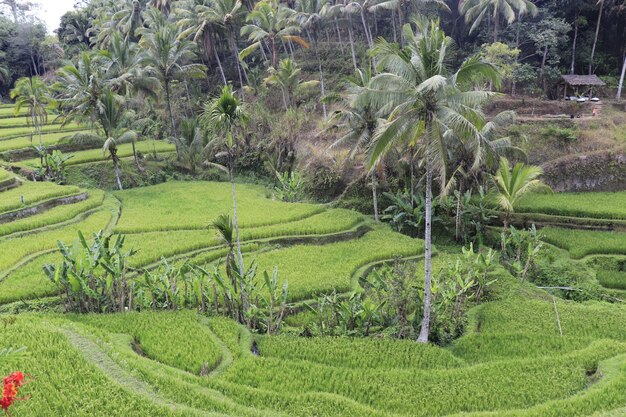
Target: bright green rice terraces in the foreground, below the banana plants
(149,364)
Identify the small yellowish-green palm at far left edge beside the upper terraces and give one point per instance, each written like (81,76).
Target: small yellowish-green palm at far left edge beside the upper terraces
(32,93)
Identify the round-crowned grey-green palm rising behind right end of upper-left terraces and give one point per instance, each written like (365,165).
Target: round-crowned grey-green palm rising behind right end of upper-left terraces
(168,58)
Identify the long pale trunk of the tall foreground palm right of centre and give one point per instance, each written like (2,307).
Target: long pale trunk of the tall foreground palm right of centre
(425,330)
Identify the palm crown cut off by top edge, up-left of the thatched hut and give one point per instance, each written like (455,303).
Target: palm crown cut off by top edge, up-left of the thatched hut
(476,10)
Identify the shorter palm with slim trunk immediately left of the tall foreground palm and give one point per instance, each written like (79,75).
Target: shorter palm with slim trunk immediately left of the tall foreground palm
(359,121)
